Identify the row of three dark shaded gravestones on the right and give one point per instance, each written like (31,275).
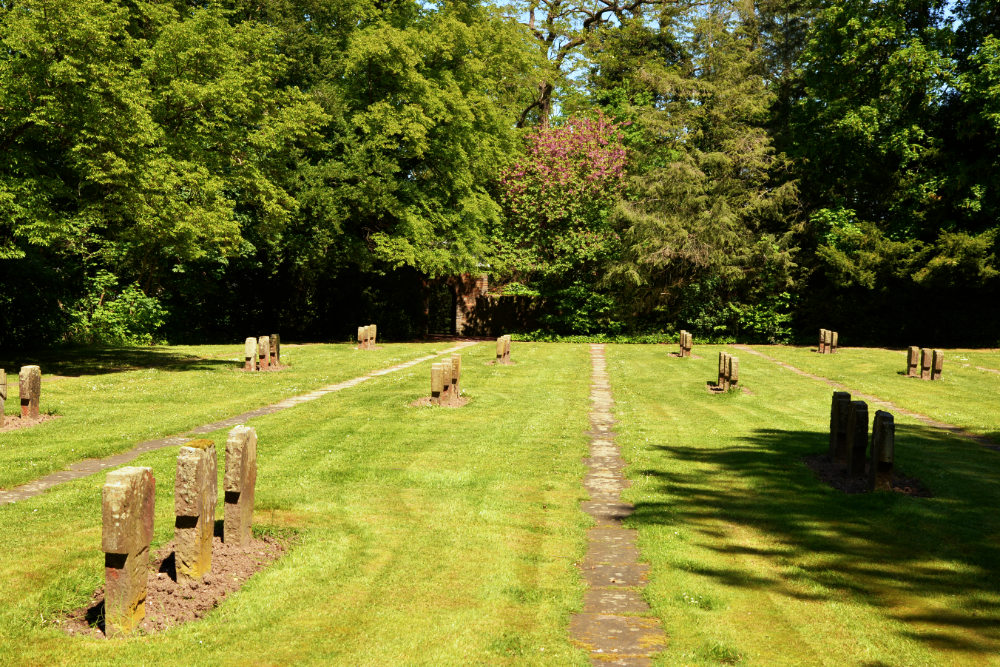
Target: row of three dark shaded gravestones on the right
(849,440)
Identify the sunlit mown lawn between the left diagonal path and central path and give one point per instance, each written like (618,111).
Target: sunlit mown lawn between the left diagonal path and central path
(424,535)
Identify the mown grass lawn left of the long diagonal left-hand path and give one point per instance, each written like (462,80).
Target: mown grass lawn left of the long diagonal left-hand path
(108,400)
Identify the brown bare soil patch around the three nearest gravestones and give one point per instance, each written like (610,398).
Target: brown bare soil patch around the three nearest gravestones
(169,603)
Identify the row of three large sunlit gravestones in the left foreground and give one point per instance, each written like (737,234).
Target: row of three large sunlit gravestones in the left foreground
(127,503)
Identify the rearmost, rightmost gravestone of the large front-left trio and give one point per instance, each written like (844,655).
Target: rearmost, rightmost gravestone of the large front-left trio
(238,485)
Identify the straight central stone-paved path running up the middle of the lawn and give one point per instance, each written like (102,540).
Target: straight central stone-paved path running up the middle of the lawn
(616,625)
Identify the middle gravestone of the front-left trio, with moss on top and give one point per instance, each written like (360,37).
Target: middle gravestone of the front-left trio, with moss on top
(196,492)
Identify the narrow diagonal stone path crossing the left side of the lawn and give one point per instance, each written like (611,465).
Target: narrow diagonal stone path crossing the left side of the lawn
(91,466)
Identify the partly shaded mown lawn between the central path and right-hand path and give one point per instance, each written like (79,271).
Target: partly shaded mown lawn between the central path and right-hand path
(755,561)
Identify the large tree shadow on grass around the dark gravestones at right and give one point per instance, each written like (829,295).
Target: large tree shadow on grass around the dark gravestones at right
(932,564)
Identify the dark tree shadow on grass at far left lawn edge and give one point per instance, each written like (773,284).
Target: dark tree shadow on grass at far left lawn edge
(75,362)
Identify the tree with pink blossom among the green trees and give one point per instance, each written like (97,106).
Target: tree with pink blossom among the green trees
(557,198)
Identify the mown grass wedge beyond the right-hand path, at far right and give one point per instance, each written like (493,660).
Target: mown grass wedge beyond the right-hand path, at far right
(964,396)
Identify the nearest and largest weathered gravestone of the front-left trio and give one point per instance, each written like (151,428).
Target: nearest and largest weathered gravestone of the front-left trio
(127,501)
